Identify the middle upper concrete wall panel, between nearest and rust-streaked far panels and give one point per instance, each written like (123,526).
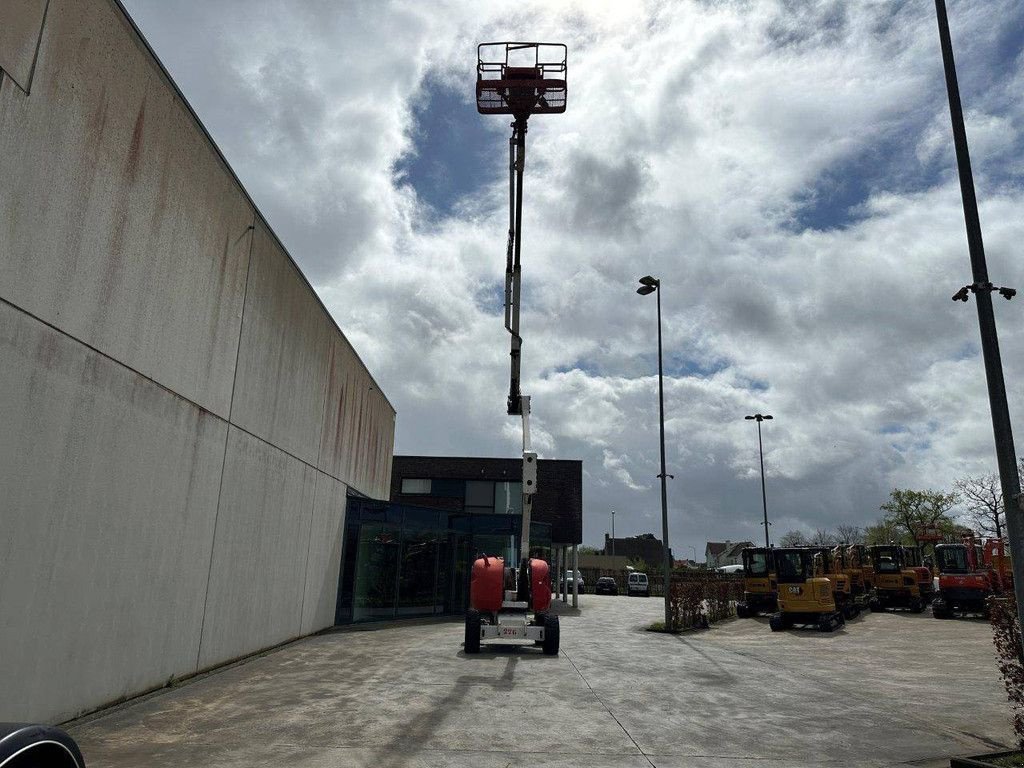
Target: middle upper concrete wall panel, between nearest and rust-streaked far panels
(283,355)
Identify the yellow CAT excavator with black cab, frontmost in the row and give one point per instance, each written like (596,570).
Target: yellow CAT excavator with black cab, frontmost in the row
(804,598)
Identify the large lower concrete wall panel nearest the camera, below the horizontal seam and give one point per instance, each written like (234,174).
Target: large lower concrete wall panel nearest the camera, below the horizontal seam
(108,495)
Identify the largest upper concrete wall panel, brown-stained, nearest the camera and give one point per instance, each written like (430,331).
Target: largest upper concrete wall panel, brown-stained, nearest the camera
(121,225)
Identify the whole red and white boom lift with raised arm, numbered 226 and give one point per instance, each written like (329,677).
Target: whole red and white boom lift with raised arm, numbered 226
(507,604)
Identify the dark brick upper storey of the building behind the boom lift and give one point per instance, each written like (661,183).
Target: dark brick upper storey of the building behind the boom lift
(493,486)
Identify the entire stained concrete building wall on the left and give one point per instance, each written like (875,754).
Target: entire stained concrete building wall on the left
(183,419)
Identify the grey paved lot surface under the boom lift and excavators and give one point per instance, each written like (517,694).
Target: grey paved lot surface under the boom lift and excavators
(888,690)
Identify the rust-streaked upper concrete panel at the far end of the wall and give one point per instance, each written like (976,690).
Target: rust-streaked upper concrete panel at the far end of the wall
(359,425)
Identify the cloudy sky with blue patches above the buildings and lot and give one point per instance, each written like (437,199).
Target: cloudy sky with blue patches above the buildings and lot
(785,167)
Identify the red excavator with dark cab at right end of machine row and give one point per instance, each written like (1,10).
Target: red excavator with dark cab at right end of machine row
(969,575)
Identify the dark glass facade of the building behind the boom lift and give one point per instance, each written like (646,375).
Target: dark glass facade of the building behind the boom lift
(401,562)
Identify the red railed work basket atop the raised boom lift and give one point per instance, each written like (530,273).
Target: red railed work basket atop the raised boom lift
(521,79)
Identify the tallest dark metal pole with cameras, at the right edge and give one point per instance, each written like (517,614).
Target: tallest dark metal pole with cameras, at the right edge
(1005,453)
